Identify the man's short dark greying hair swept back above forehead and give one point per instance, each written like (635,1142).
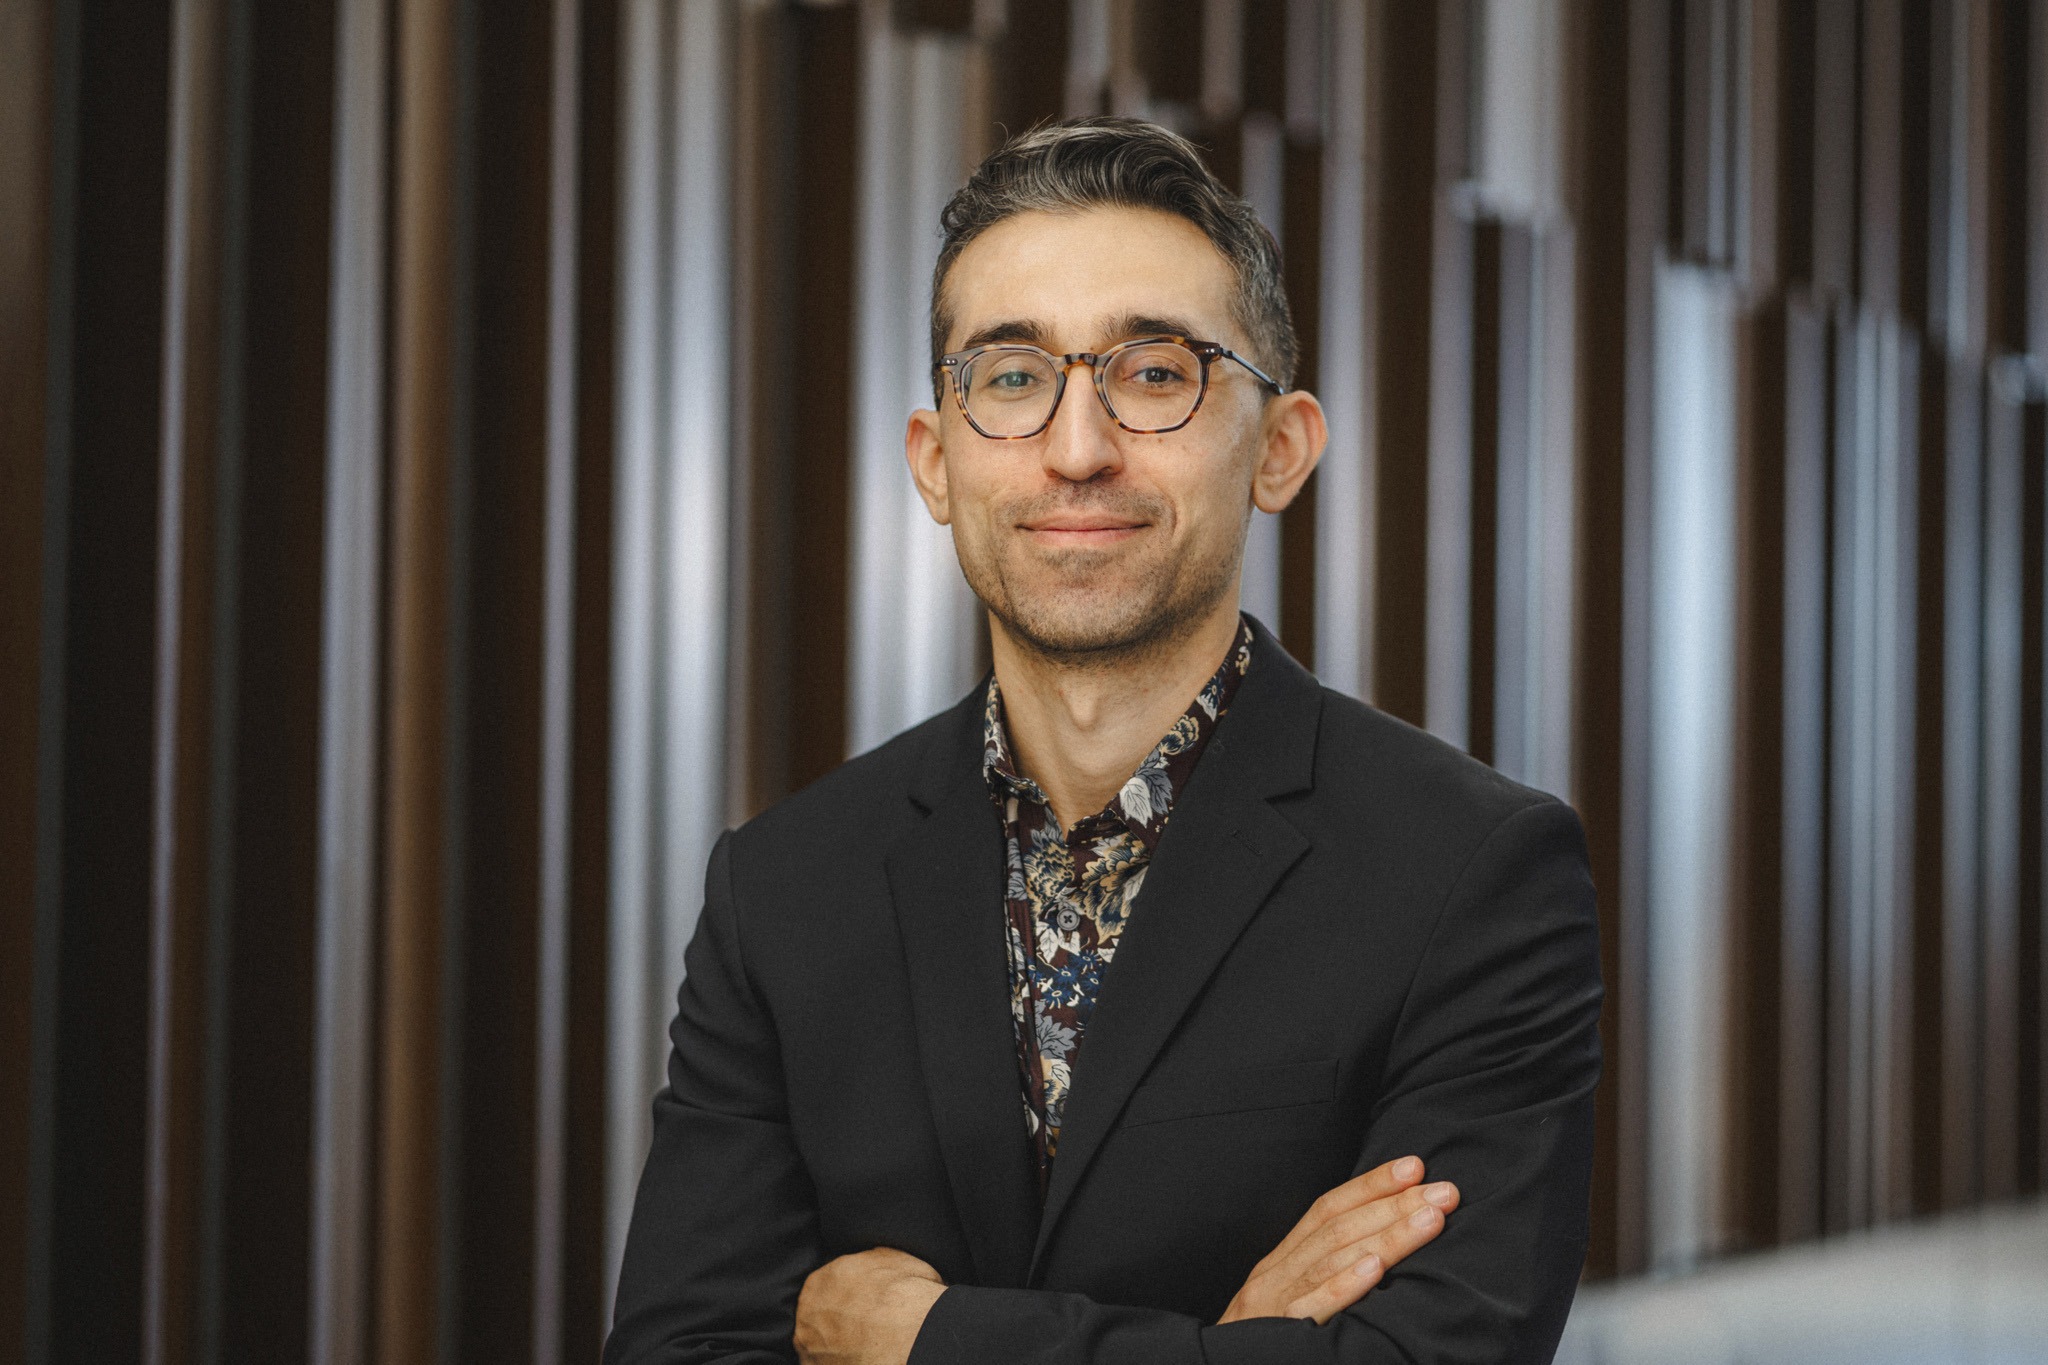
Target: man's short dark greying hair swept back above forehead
(1123,165)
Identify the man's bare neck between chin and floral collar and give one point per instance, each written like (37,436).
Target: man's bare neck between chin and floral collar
(1080,732)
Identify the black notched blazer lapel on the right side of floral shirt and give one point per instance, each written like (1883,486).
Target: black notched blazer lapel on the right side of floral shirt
(1222,856)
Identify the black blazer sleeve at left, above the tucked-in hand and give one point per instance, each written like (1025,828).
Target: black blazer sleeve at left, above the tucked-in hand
(726,1219)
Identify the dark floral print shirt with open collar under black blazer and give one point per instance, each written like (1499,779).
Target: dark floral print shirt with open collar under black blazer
(1070,897)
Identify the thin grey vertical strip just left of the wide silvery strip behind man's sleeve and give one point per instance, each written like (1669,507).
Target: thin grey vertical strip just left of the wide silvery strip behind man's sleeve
(558,693)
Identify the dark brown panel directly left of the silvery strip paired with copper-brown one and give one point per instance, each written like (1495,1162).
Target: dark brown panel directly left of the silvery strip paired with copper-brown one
(269,689)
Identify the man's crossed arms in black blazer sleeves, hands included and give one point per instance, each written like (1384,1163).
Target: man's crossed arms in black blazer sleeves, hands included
(1490,1080)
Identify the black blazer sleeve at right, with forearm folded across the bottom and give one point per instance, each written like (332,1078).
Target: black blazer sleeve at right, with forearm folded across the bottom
(1490,1080)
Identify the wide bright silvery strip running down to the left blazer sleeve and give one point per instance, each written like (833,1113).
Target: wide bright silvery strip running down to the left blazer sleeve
(671,562)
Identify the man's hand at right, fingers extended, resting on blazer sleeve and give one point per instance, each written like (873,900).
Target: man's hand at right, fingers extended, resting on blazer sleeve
(1345,1243)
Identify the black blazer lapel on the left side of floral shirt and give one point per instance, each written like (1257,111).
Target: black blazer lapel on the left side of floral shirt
(947,881)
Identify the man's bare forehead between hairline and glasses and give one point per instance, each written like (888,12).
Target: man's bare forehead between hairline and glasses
(1072,271)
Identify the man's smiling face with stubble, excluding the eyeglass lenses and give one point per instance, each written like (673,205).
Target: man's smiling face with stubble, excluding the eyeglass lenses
(1091,541)
